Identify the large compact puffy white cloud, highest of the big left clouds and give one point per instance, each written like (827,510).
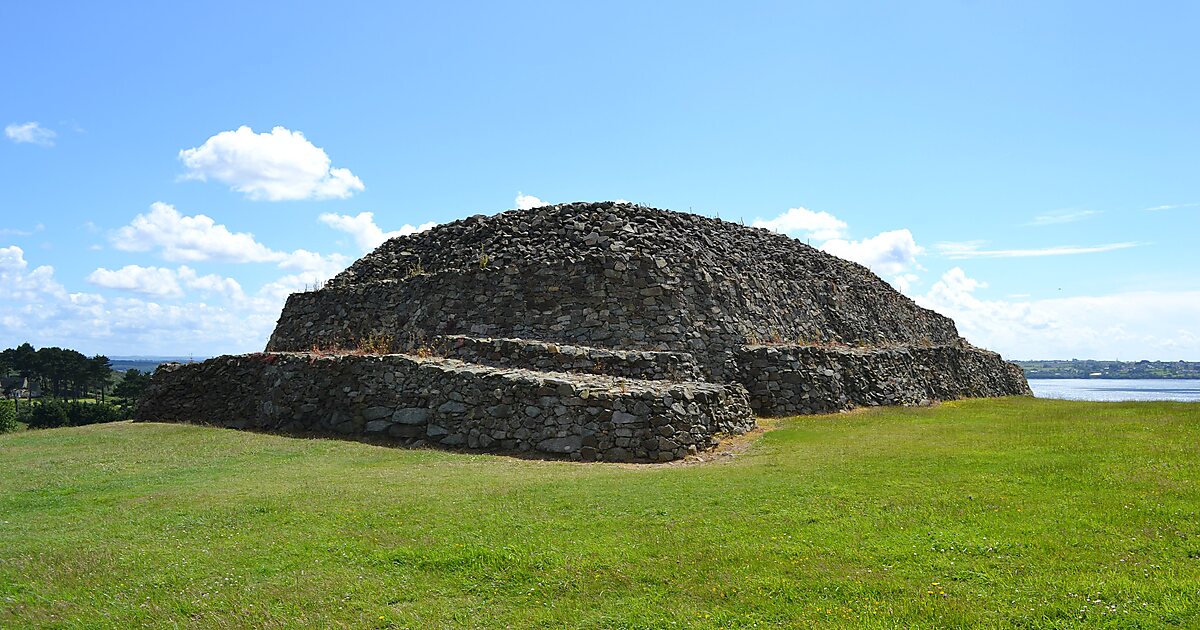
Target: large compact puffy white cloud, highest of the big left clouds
(278,166)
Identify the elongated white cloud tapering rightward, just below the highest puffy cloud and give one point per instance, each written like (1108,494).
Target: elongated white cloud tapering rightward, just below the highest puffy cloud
(193,239)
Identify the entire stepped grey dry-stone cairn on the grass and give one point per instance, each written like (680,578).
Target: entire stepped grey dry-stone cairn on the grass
(597,332)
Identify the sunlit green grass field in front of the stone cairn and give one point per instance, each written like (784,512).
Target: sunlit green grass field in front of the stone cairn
(983,514)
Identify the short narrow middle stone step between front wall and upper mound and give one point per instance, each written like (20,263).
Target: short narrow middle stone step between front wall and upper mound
(651,365)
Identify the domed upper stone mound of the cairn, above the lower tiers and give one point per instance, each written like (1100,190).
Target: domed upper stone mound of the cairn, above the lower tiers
(614,275)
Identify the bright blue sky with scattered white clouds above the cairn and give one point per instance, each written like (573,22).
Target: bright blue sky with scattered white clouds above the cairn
(1028,169)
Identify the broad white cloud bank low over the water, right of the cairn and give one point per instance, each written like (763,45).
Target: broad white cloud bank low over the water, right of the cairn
(1129,326)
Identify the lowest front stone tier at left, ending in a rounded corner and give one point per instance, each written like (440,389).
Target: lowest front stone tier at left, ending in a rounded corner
(451,404)
